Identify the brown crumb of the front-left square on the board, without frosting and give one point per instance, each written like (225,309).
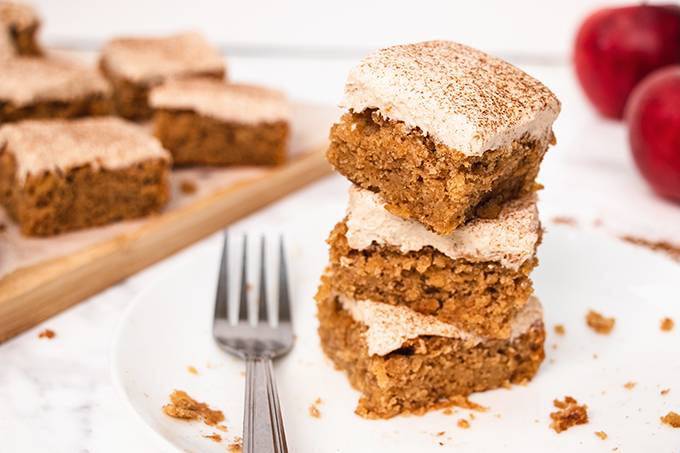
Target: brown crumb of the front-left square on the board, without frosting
(56,202)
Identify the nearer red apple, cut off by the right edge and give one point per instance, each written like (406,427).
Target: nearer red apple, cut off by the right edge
(653,117)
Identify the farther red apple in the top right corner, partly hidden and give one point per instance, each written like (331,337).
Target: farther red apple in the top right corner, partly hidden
(615,48)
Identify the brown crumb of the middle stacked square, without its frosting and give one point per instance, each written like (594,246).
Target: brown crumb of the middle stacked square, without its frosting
(482,297)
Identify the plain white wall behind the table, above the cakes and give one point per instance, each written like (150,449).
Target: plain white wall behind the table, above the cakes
(533,28)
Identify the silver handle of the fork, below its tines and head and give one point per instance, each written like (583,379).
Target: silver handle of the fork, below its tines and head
(262,423)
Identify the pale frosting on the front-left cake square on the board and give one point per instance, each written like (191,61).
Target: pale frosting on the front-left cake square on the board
(58,145)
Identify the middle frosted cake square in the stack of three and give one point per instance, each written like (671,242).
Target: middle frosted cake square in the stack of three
(477,276)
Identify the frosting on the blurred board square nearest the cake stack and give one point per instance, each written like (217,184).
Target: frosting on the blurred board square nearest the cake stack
(224,101)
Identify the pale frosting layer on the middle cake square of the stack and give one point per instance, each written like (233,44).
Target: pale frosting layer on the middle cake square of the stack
(509,239)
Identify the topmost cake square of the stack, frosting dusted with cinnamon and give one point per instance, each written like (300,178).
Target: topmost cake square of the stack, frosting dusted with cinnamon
(444,132)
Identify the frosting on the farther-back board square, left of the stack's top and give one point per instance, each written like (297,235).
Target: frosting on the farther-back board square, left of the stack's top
(153,59)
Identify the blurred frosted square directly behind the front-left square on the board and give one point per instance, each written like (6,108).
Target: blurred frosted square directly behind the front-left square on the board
(51,87)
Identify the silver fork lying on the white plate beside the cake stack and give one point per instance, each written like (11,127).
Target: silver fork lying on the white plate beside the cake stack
(258,345)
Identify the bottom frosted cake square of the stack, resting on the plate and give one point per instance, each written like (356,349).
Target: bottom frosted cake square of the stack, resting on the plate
(405,362)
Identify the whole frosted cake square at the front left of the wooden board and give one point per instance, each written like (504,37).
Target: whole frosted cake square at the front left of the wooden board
(63,175)
